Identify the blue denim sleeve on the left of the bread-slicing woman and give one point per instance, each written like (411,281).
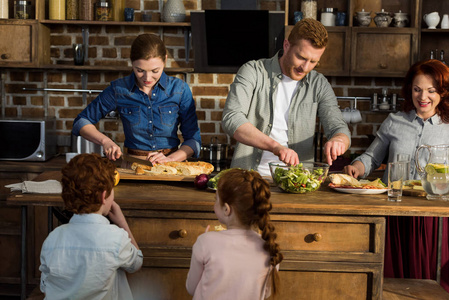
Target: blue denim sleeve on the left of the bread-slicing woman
(97,109)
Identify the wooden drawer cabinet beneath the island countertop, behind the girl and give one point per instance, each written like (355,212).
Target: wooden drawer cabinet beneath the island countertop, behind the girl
(335,251)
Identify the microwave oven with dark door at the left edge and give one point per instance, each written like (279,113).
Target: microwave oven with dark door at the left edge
(27,139)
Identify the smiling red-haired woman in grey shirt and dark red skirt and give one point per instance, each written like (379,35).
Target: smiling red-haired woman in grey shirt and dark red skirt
(411,247)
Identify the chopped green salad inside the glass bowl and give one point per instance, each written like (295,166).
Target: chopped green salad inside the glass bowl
(298,180)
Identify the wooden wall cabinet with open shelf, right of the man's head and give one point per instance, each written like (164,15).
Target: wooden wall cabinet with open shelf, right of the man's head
(366,51)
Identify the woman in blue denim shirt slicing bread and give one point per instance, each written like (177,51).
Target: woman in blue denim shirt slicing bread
(151,105)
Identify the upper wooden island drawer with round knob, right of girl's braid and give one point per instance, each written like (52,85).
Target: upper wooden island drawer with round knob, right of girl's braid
(331,237)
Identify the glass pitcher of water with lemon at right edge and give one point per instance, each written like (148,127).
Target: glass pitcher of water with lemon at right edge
(435,174)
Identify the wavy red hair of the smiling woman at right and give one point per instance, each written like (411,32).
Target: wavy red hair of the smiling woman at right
(439,72)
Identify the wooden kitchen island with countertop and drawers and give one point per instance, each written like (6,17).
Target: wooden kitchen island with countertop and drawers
(333,243)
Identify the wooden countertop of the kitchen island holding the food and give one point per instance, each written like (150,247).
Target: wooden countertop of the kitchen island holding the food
(182,196)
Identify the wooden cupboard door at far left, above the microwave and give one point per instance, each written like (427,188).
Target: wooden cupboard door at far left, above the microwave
(12,48)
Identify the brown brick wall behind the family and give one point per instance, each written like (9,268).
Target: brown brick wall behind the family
(110,46)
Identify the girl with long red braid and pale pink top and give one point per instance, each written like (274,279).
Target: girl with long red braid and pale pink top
(237,263)
